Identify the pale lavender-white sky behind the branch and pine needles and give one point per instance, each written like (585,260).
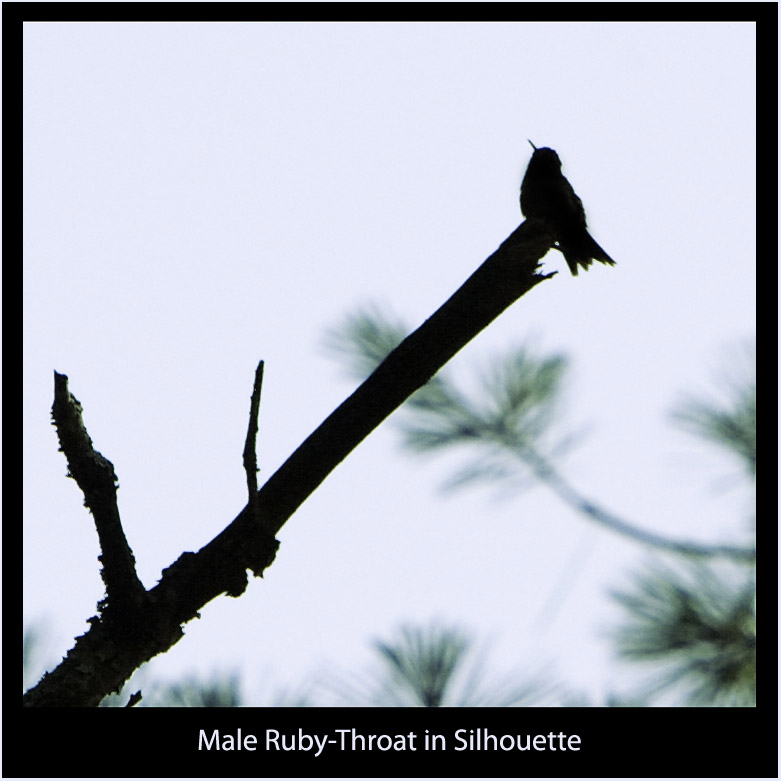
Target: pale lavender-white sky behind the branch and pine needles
(201,196)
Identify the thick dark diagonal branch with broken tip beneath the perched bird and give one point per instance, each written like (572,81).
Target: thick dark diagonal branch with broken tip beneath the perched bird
(104,657)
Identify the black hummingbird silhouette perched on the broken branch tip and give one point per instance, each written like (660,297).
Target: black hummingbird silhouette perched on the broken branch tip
(548,196)
